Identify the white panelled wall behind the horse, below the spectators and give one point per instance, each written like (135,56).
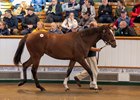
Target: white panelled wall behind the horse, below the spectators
(127,53)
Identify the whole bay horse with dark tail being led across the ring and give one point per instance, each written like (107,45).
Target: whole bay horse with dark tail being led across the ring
(72,46)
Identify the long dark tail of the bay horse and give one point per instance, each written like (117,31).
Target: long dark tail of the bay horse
(19,51)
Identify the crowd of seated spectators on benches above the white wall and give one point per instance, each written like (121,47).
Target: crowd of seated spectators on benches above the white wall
(78,16)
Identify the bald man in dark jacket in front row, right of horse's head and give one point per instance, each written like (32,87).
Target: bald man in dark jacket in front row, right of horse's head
(125,30)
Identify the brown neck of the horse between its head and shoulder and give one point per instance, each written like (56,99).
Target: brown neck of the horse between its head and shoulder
(92,37)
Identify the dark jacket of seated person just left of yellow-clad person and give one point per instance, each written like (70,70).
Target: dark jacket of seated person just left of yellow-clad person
(30,20)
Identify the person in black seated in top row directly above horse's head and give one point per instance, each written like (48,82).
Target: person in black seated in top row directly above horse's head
(105,12)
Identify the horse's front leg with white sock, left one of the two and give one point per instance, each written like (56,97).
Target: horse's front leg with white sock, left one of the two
(71,65)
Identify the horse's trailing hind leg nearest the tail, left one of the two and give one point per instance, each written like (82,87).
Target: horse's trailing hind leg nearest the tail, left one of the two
(25,66)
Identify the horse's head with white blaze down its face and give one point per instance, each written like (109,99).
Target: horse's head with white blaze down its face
(107,35)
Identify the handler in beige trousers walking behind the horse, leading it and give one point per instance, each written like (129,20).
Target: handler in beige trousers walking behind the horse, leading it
(92,62)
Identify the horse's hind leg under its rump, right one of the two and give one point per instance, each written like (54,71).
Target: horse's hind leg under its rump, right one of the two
(34,72)
